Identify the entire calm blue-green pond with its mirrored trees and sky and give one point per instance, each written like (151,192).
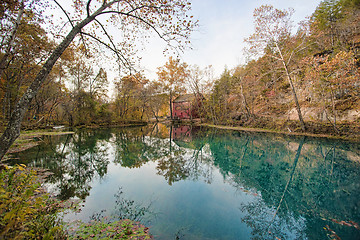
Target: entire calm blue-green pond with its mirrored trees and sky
(207,183)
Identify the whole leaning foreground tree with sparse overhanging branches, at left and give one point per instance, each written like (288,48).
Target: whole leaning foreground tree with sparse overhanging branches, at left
(168,19)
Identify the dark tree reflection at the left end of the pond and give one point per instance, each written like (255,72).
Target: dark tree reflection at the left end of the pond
(74,162)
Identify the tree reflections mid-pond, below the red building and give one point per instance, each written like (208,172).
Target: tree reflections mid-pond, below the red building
(175,160)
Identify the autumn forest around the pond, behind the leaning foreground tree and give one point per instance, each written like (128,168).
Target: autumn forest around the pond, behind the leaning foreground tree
(296,78)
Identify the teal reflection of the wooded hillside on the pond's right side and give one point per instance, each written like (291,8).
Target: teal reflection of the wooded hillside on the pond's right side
(299,186)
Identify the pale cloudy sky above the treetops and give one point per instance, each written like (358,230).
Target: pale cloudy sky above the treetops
(224,24)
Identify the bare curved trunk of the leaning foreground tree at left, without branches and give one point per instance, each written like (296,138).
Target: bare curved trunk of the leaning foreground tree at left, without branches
(13,128)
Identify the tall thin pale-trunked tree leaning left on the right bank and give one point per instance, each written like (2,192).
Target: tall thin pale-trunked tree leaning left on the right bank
(273,35)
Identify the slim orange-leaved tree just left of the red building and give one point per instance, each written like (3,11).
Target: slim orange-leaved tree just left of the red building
(173,76)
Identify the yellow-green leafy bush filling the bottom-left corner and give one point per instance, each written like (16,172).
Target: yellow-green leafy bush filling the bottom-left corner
(26,211)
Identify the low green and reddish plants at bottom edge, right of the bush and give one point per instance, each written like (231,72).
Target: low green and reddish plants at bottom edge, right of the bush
(123,229)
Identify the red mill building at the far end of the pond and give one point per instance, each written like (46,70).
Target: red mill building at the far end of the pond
(187,106)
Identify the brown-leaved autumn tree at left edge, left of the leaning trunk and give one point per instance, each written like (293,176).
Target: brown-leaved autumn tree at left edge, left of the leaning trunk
(20,60)
